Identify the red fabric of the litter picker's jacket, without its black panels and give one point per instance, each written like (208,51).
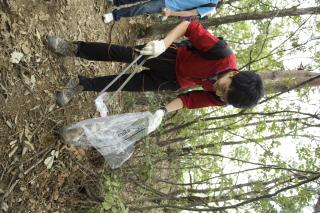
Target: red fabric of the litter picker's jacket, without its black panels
(193,70)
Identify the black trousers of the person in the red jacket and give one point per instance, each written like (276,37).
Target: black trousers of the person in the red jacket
(160,75)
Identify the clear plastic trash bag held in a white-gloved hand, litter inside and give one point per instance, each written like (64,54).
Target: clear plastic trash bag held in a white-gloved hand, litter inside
(113,136)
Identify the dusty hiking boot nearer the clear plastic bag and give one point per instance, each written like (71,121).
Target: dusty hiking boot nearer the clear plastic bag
(72,89)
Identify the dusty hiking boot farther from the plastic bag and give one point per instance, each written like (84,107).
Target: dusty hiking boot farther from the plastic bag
(62,47)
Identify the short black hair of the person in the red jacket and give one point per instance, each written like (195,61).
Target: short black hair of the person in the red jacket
(246,89)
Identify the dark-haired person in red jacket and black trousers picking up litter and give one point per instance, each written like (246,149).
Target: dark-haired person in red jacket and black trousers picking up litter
(171,67)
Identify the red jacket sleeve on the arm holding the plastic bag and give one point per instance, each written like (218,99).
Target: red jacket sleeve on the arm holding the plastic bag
(200,99)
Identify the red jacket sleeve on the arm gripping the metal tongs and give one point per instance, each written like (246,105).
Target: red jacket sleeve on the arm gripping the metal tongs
(200,38)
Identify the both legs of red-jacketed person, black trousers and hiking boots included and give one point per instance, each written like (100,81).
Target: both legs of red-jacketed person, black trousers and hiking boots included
(161,75)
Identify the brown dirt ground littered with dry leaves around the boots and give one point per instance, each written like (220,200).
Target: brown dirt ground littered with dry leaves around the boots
(29,115)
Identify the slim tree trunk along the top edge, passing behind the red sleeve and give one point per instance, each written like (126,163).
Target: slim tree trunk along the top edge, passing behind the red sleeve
(161,28)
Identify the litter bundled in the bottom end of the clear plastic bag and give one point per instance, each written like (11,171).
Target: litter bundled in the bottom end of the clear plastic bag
(71,135)
